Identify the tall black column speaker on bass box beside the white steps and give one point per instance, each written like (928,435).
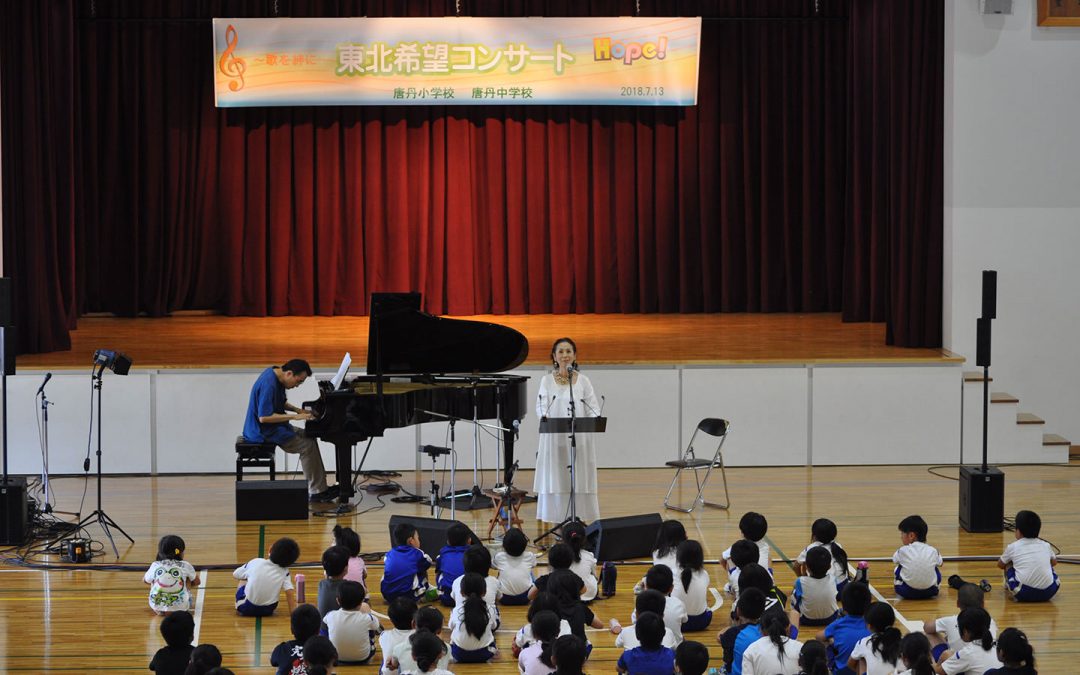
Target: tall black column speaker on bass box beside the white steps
(983,489)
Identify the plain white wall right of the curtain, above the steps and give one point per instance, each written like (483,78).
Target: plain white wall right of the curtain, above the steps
(1012,202)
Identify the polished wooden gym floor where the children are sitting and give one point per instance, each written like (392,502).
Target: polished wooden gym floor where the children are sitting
(82,620)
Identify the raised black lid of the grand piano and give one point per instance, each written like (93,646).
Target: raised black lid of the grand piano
(409,341)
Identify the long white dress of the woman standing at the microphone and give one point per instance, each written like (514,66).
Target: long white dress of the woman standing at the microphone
(552,482)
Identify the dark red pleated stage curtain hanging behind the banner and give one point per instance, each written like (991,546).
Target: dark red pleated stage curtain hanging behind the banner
(755,200)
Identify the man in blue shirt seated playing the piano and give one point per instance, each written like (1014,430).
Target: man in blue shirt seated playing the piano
(269,417)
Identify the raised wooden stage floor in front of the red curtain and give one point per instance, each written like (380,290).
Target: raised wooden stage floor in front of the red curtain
(217,342)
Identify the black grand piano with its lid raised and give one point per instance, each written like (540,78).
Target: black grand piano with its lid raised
(418,366)
